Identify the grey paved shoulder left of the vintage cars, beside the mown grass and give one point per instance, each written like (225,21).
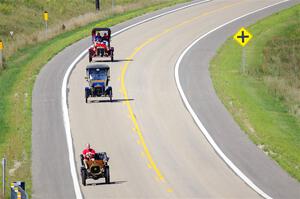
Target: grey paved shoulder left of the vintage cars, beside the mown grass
(51,176)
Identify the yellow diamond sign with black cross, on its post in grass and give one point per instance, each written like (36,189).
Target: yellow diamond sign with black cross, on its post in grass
(243,37)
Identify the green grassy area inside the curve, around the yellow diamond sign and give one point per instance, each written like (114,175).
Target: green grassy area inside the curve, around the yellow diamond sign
(264,99)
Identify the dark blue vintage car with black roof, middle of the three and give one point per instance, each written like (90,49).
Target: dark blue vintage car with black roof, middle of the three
(98,76)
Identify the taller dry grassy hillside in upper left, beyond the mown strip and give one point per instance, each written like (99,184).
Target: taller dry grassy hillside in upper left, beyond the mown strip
(25,18)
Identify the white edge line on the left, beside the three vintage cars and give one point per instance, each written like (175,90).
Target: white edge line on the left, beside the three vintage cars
(64,93)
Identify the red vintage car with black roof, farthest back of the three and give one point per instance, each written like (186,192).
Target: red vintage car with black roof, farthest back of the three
(101,38)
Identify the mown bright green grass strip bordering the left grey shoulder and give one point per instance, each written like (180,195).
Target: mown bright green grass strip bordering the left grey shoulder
(16,84)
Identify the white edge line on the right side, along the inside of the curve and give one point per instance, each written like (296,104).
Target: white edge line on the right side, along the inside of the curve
(197,120)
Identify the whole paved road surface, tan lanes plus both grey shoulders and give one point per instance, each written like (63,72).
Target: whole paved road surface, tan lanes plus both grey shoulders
(155,148)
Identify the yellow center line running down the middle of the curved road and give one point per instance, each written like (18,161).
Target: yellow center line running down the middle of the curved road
(141,140)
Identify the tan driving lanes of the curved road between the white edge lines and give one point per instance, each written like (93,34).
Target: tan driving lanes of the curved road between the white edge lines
(152,118)
